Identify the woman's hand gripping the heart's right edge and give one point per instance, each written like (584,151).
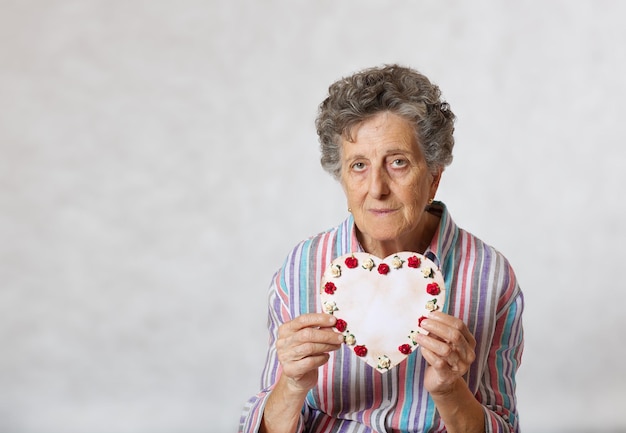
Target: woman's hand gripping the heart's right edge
(449,349)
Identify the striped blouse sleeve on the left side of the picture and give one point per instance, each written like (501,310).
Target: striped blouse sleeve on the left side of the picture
(279,313)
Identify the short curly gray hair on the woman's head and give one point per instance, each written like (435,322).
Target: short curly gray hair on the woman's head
(393,88)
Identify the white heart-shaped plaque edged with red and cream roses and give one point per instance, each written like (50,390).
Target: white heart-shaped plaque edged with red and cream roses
(379,303)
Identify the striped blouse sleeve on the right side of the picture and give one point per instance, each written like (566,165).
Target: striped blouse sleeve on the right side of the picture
(497,388)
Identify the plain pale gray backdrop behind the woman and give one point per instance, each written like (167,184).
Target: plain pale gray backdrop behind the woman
(158,160)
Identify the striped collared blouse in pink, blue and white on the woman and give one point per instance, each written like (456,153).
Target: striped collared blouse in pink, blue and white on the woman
(353,397)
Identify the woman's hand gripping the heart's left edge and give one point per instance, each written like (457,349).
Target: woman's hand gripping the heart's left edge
(303,345)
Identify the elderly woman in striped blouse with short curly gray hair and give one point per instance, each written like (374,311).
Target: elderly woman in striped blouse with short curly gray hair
(386,136)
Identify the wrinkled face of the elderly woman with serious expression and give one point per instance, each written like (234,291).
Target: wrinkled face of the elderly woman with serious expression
(387,183)
